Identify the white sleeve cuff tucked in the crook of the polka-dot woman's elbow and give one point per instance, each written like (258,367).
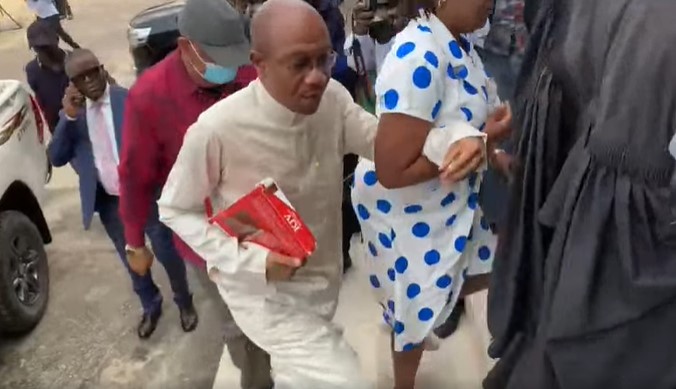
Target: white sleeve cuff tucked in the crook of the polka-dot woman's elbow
(440,139)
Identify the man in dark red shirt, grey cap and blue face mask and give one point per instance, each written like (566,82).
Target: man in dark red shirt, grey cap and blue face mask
(210,63)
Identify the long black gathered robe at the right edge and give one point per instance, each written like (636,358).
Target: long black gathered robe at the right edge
(583,294)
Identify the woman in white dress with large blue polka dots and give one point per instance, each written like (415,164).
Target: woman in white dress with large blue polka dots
(426,236)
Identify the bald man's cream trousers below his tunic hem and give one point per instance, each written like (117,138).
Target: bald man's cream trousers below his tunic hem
(306,350)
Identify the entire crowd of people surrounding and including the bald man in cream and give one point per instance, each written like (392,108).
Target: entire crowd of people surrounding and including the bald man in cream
(401,127)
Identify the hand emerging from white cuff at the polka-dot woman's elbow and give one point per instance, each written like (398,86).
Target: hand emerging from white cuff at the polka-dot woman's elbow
(462,158)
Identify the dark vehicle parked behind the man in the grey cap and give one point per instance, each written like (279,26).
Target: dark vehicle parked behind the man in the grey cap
(152,34)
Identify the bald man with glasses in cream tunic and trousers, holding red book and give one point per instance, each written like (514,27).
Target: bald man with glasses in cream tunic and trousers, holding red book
(294,124)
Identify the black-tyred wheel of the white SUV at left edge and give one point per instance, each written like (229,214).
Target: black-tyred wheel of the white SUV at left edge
(24,274)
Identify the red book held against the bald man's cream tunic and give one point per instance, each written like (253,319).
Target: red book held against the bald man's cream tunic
(264,216)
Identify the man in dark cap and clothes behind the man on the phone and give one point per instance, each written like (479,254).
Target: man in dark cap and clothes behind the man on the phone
(46,73)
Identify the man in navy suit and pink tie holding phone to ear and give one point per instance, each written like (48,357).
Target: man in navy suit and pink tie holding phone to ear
(88,135)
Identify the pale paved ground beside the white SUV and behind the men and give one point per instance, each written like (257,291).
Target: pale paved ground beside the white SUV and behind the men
(87,338)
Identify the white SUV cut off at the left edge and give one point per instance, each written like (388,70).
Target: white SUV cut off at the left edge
(24,171)
